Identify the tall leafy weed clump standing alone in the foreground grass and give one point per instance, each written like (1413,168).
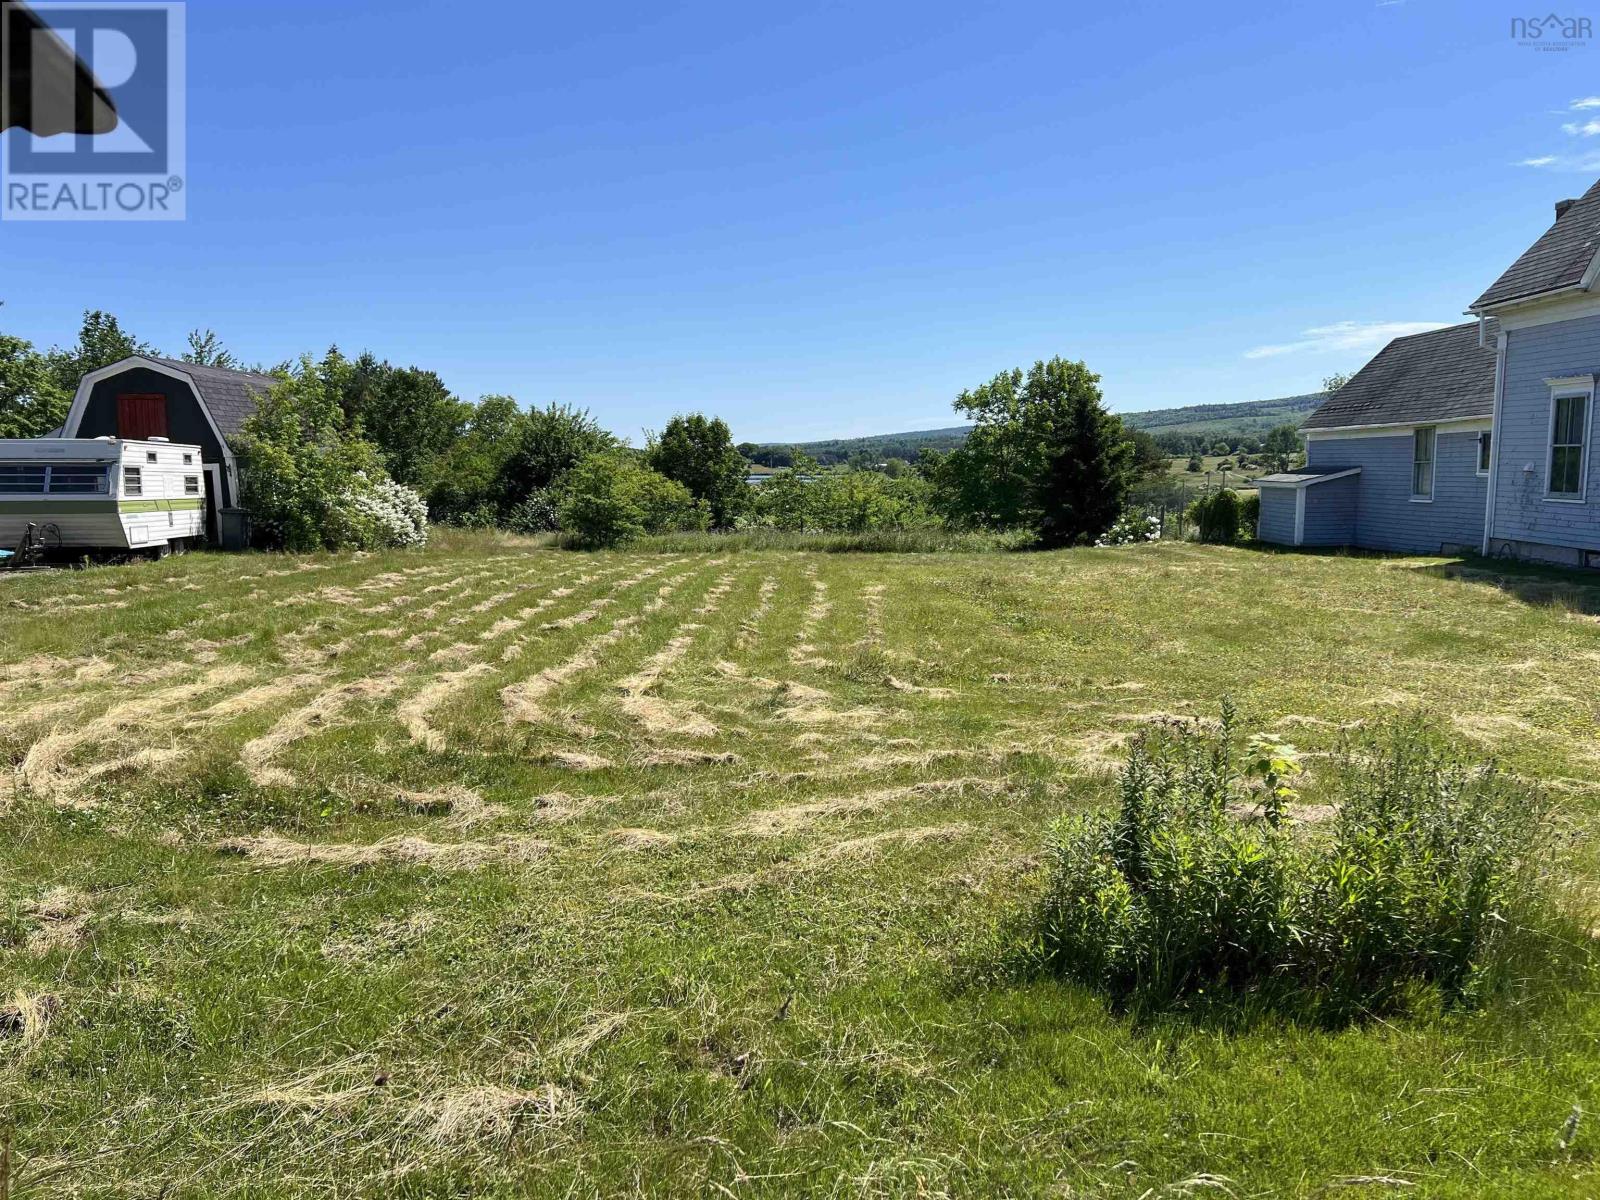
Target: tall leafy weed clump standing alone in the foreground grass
(1210,884)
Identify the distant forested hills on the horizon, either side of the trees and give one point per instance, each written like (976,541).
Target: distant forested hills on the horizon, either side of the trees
(1250,418)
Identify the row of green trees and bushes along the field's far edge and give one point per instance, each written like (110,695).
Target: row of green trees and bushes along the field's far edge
(1042,457)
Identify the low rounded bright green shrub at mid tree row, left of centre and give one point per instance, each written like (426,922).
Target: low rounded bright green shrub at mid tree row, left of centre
(610,500)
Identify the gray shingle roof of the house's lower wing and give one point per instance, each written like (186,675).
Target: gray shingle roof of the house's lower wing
(1420,380)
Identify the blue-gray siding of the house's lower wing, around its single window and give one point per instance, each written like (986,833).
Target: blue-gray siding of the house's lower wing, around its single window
(1386,518)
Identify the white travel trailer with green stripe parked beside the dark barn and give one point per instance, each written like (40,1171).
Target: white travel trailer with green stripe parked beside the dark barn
(110,495)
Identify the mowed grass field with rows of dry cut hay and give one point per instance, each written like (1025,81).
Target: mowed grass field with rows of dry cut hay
(505,871)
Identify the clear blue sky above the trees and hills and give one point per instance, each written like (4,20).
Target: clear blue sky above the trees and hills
(826,220)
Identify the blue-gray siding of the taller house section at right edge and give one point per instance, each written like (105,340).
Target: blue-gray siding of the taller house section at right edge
(1522,514)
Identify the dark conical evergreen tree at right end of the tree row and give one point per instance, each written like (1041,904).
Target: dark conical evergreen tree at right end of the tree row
(1089,460)
